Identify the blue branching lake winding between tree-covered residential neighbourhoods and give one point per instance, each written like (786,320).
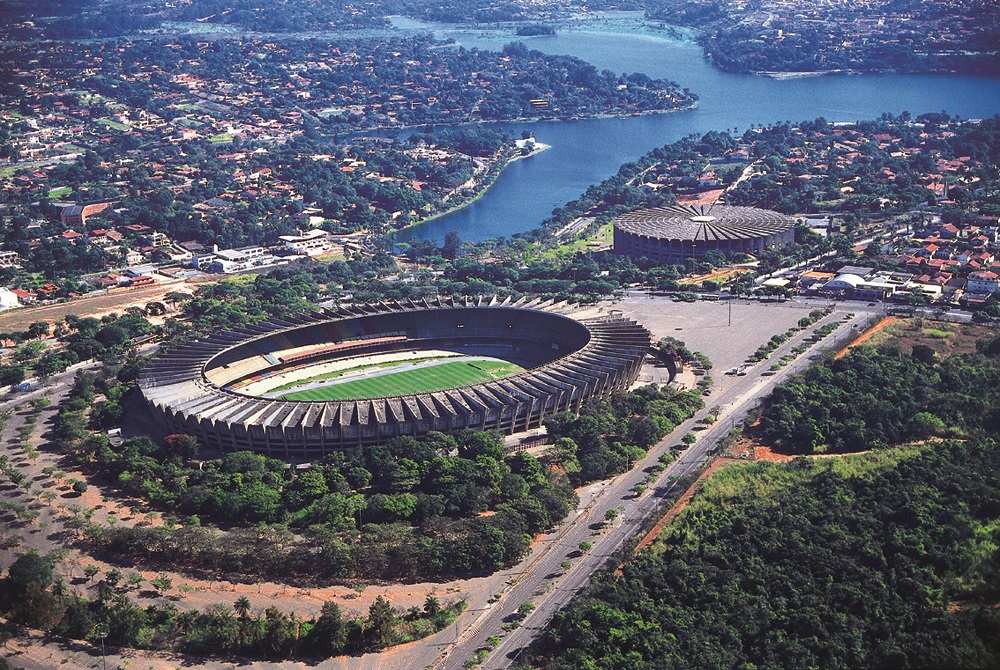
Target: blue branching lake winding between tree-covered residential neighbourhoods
(586,152)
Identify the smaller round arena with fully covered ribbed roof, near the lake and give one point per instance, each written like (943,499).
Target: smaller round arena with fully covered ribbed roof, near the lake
(673,234)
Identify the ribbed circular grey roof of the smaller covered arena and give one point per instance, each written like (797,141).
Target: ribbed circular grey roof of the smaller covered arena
(704,223)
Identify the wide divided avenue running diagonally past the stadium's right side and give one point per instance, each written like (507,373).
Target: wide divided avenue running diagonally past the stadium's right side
(546,584)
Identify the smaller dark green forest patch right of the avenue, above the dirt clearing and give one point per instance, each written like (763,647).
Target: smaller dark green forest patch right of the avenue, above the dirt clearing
(872,397)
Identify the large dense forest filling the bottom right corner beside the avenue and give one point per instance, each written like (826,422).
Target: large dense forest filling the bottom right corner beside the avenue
(883,560)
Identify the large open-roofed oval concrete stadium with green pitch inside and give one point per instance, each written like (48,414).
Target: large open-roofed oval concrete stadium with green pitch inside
(361,375)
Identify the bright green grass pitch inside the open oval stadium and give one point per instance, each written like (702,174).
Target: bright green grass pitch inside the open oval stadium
(422,380)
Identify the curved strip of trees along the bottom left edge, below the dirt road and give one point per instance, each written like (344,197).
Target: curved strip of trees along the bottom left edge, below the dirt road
(33,596)
